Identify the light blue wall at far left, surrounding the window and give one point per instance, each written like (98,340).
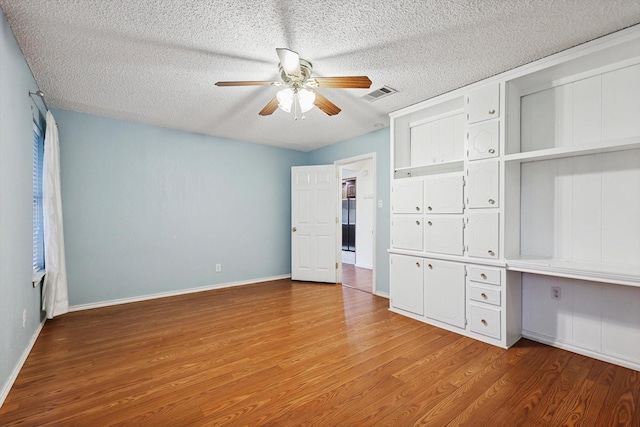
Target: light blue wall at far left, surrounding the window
(16,122)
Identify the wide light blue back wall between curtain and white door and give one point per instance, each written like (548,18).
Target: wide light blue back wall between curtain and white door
(150,210)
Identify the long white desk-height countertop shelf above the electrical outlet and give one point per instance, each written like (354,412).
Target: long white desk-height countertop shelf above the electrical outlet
(620,274)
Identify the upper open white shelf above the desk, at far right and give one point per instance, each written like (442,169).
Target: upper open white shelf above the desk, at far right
(576,150)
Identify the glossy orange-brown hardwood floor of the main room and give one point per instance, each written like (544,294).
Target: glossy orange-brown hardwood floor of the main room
(288,353)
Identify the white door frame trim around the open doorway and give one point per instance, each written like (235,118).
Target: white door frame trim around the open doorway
(338,165)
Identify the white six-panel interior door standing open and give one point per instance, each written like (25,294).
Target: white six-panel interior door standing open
(313,223)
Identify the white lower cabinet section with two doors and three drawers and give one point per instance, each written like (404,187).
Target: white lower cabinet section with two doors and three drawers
(474,300)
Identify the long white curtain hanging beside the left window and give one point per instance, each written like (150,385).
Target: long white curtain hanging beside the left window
(55,300)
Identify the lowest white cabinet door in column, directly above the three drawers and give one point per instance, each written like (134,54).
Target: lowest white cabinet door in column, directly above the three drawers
(482,235)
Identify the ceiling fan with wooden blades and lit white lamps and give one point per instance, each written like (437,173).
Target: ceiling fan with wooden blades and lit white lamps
(300,86)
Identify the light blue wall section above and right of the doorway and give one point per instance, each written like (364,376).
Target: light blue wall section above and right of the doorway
(374,142)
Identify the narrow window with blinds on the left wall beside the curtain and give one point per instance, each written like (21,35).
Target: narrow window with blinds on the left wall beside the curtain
(38,211)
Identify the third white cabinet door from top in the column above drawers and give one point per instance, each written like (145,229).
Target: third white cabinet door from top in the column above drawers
(483,185)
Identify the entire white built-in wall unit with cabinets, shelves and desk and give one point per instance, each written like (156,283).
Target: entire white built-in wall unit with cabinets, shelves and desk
(537,201)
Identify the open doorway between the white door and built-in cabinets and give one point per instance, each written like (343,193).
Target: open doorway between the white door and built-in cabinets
(357,212)
